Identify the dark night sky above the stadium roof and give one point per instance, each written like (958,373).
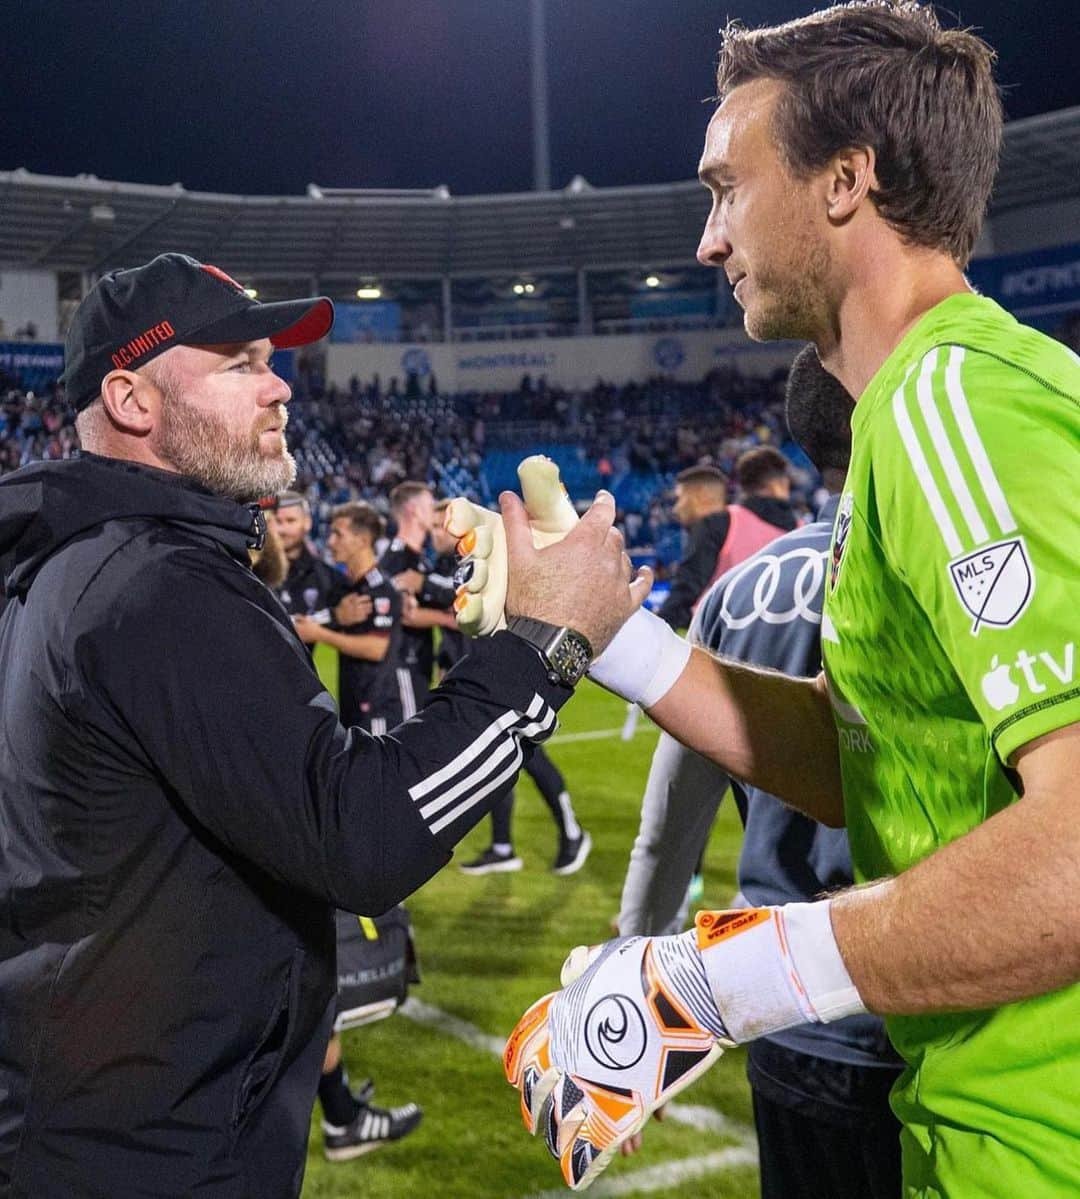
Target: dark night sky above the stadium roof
(233,97)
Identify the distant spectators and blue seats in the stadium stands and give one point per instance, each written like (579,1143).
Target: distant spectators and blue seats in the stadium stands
(359,442)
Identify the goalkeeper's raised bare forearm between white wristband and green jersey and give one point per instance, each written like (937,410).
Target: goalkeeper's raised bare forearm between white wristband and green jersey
(765,728)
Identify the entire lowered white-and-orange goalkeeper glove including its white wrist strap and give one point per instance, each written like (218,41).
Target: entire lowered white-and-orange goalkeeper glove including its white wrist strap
(641,1019)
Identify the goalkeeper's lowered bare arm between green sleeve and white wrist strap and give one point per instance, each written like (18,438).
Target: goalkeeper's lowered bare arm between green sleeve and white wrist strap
(991,918)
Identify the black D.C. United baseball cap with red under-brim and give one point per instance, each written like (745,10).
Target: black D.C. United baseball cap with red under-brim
(134,316)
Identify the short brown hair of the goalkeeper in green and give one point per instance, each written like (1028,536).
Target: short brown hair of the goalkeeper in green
(885,75)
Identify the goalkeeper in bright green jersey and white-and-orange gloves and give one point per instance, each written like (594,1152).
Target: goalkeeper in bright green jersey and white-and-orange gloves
(850,161)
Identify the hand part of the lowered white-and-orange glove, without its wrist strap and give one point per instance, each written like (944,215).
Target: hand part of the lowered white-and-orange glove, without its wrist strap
(635,1026)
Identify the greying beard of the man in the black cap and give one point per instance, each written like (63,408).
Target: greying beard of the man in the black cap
(202,448)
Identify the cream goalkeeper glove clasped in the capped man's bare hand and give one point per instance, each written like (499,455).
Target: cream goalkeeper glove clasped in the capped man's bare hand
(481,595)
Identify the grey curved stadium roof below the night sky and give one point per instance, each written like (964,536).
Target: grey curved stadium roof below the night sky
(89,225)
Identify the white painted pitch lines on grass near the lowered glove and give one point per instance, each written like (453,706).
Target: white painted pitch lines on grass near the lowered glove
(655,1178)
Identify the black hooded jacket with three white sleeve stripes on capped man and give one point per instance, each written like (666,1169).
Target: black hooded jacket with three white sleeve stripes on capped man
(179,811)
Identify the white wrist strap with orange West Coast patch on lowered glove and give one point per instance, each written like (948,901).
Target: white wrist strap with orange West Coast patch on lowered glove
(774,968)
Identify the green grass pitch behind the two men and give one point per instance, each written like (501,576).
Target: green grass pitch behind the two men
(488,948)
